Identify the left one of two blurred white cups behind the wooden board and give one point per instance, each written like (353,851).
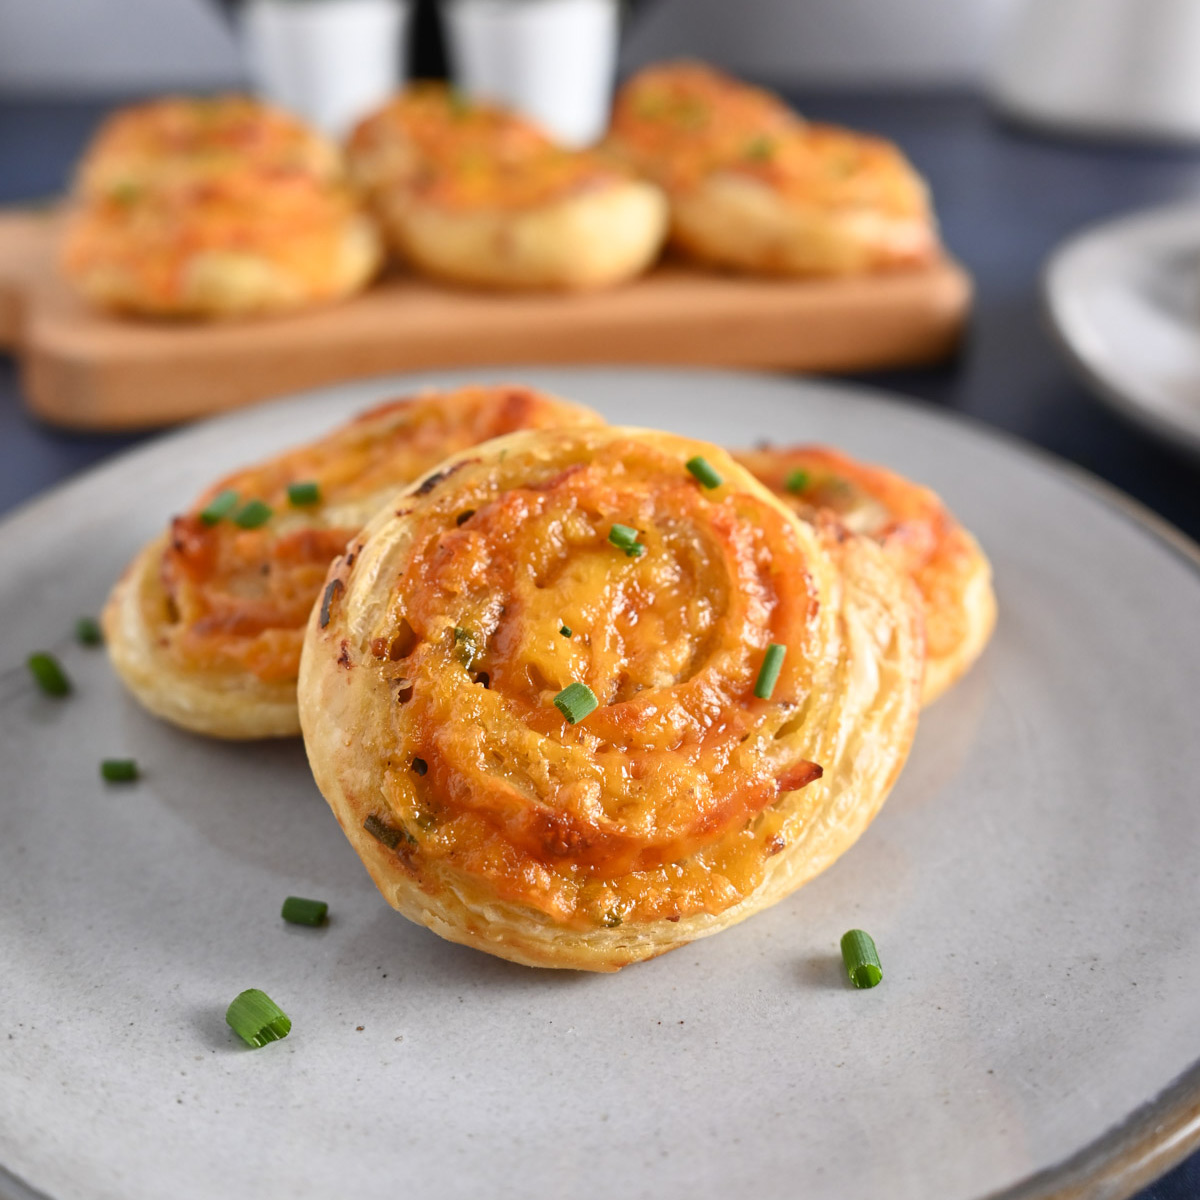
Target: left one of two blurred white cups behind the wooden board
(331,62)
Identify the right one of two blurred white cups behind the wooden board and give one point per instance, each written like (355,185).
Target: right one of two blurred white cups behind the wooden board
(554,61)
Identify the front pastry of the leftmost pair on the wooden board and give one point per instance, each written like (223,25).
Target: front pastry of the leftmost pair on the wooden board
(231,247)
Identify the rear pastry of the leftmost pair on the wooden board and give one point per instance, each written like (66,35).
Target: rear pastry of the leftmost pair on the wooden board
(187,140)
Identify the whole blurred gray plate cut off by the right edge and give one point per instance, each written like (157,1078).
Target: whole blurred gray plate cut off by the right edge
(1125,301)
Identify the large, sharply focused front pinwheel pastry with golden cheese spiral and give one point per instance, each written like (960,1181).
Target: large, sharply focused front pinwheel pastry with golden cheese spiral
(447,674)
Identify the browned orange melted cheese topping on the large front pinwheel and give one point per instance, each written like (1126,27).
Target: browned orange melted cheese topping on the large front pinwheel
(659,805)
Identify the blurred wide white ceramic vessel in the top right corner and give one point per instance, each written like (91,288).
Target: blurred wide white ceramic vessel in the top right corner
(1129,68)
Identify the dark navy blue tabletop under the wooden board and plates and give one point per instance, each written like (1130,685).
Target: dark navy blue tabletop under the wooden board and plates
(1006,199)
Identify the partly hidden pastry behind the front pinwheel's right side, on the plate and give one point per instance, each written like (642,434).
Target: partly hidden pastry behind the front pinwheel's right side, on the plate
(917,532)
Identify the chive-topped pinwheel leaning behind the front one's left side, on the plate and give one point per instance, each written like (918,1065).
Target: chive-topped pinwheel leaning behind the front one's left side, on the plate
(206,626)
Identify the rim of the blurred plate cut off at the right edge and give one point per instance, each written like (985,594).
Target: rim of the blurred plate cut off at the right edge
(1126,404)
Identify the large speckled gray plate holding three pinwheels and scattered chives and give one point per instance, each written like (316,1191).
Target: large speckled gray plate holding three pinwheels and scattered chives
(1031,885)
